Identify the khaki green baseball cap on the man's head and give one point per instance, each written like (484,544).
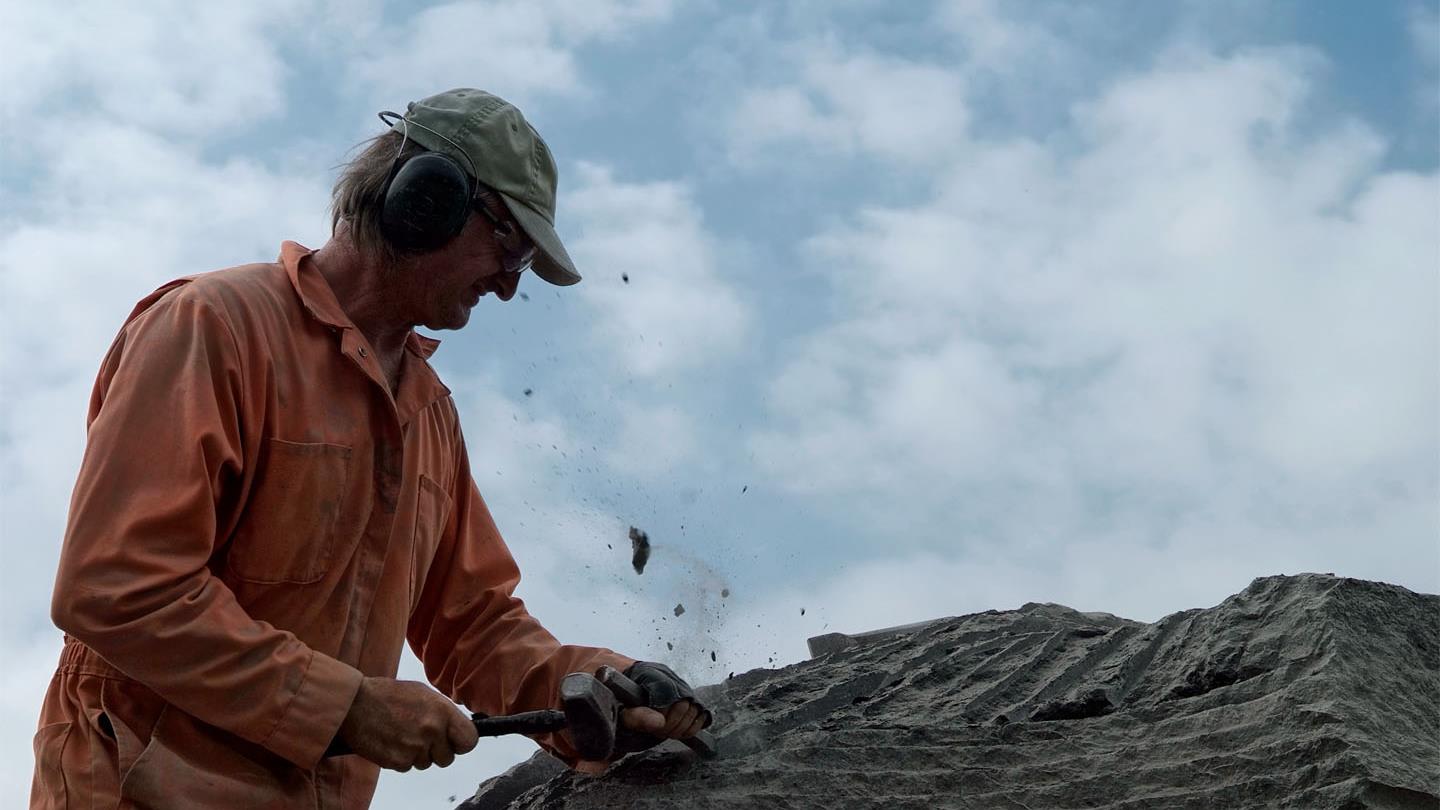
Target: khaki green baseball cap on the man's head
(489,136)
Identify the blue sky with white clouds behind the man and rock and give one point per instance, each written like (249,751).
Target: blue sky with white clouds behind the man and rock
(891,311)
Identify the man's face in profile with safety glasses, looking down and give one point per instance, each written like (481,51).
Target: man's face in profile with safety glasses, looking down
(450,282)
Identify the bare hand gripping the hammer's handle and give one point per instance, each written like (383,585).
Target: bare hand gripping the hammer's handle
(402,726)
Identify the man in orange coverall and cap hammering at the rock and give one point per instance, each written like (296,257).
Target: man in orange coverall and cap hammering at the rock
(276,497)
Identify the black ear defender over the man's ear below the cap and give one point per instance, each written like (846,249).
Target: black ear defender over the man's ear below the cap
(427,200)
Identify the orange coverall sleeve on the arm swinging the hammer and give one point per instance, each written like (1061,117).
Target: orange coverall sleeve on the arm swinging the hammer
(165,449)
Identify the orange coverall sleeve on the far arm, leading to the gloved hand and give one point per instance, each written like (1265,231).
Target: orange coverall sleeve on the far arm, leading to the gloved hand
(474,636)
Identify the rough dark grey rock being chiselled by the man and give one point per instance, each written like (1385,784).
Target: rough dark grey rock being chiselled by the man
(1308,691)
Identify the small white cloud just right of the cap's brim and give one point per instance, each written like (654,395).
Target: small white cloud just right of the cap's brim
(678,311)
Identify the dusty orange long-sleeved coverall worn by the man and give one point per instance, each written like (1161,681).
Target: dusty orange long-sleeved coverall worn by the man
(257,525)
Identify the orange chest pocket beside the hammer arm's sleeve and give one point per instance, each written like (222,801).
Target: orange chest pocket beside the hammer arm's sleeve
(287,533)
